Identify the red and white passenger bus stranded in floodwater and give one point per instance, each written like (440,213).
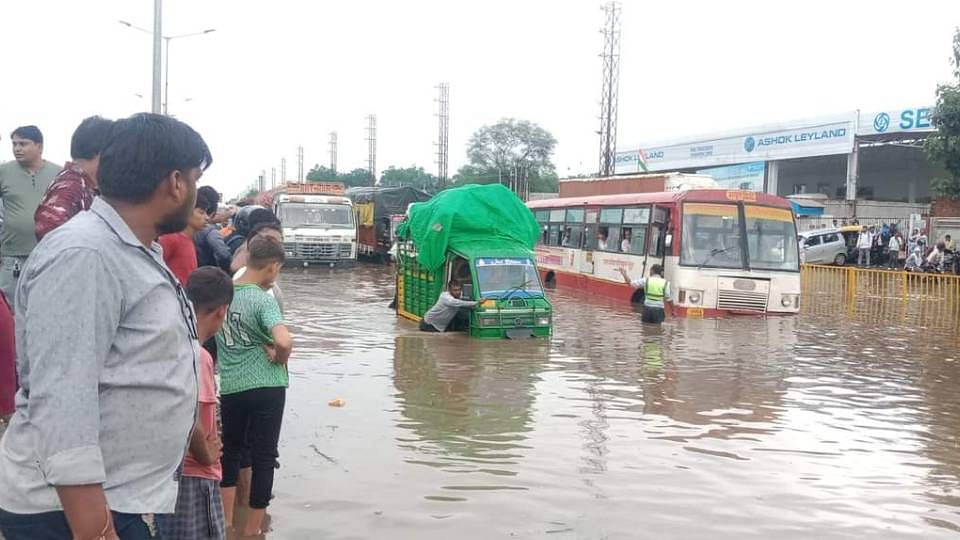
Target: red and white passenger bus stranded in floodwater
(723,251)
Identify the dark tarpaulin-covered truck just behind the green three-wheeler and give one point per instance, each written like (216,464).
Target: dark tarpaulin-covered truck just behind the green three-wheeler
(379,210)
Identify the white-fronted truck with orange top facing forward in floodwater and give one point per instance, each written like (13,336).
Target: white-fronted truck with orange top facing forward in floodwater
(318,222)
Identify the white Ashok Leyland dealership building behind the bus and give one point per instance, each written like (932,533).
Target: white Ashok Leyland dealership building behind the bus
(859,160)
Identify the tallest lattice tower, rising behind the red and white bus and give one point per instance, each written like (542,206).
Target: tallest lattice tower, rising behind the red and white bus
(611,84)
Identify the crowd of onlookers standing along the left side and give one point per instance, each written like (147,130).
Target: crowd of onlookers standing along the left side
(114,269)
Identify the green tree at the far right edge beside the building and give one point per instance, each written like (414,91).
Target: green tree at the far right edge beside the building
(944,146)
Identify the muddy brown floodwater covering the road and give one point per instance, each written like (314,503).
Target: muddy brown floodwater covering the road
(798,427)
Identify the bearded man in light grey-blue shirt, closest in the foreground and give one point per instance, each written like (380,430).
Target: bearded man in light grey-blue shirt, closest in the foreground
(108,394)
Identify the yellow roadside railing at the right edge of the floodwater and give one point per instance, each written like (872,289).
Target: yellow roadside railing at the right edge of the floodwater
(922,298)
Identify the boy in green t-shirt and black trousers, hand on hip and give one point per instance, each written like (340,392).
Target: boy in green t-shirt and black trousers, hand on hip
(253,349)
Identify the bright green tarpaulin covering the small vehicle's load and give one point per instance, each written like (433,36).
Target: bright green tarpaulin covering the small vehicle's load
(469,219)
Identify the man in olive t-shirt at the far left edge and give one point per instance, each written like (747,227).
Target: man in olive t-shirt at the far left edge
(22,184)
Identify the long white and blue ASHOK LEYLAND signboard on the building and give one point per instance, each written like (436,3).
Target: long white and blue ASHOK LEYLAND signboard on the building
(803,139)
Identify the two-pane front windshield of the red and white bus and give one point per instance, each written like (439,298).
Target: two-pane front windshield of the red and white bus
(713,236)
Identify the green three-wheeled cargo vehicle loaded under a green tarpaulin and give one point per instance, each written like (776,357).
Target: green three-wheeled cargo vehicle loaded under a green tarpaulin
(483,237)
